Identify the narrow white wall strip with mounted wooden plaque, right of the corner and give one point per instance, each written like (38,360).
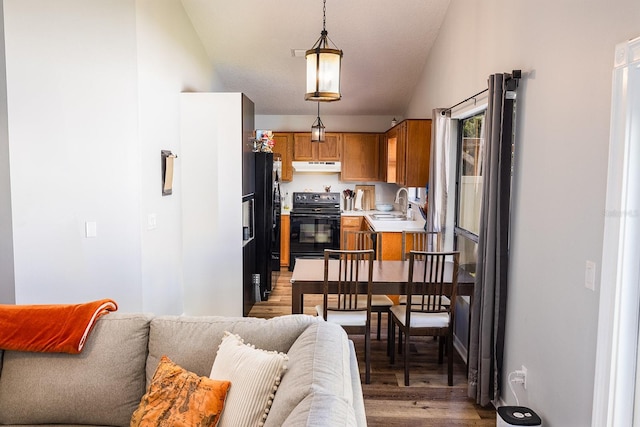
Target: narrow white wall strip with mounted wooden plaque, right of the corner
(171,60)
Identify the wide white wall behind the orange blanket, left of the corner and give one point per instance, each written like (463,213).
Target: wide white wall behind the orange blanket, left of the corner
(72,108)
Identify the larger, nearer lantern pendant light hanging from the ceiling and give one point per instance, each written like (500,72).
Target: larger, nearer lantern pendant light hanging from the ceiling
(323,67)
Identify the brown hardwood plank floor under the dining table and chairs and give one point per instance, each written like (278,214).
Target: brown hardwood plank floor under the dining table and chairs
(428,401)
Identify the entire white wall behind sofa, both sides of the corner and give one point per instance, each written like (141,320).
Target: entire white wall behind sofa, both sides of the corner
(93,95)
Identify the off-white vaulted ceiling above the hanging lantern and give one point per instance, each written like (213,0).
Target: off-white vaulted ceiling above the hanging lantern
(385,45)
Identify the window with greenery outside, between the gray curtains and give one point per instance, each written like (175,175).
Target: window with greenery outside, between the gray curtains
(469,188)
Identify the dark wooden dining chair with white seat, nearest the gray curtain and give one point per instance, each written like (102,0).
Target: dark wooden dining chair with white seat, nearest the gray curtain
(427,315)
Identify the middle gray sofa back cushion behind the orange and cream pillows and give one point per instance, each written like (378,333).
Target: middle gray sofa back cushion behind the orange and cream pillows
(168,335)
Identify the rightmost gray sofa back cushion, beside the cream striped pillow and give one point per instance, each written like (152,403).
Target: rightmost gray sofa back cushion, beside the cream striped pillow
(318,362)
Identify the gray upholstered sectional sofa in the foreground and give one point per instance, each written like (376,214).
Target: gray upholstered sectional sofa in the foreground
(104,384)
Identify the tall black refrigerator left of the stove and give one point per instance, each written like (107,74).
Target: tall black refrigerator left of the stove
(267,217)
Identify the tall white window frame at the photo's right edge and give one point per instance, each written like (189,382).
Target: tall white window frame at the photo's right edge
(616,400)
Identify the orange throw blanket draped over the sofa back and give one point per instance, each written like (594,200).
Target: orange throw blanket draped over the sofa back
(61,328)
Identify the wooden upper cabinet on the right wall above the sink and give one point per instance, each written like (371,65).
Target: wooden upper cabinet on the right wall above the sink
(408,146)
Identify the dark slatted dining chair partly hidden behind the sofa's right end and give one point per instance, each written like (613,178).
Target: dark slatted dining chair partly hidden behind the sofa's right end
(349,303)
